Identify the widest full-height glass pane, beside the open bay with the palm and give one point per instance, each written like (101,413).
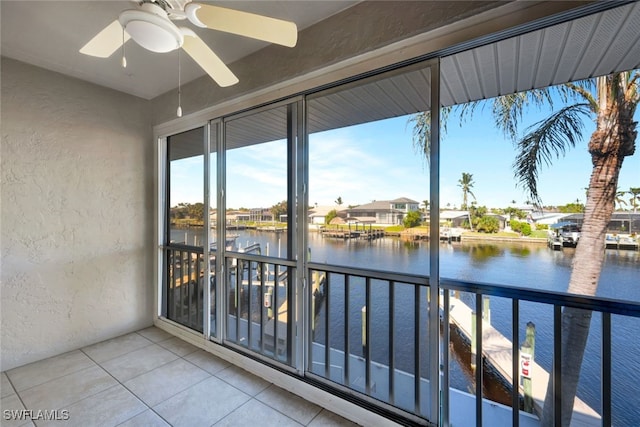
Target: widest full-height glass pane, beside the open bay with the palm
(368,209)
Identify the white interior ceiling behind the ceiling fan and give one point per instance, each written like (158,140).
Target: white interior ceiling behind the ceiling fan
(50,33)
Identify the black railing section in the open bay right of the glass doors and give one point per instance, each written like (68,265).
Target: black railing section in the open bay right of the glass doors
(601,308)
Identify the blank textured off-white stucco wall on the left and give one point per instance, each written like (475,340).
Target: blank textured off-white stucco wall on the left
(76,214)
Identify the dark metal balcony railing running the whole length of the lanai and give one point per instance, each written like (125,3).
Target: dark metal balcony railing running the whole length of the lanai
(369,332)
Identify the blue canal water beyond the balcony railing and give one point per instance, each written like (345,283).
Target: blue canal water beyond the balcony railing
(510,264)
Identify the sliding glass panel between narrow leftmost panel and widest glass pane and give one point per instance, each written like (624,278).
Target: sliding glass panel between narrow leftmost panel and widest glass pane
(260,261)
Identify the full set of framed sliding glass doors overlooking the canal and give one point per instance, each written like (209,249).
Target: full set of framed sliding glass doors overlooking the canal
(303,230)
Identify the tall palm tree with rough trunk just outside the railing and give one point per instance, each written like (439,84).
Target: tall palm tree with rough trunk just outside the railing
(611,101)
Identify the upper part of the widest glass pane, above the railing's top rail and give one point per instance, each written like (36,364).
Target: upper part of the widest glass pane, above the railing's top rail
(368,183)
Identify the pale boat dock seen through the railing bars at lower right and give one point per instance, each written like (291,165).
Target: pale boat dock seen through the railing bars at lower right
(497,351)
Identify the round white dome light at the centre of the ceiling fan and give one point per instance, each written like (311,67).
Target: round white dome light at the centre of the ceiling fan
(151,28)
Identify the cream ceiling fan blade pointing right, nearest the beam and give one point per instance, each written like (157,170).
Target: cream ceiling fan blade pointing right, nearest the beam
(243,23)
